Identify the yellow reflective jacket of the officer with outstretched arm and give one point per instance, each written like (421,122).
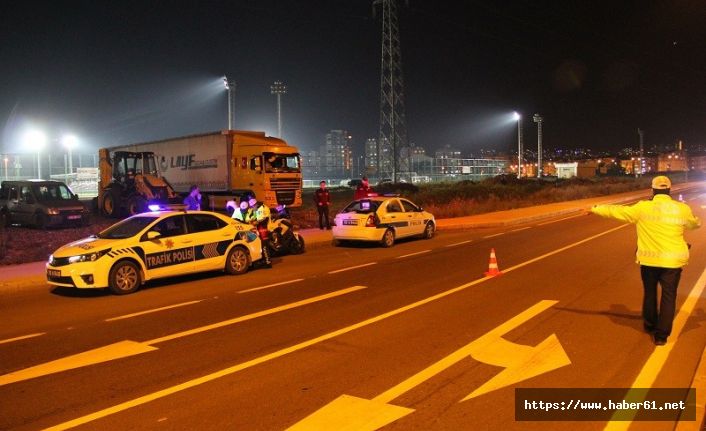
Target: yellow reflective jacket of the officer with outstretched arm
(660,226)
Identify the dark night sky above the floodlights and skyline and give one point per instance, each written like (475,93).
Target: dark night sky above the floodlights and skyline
(130,71)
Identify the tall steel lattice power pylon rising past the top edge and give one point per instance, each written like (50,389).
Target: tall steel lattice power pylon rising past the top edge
(393,127)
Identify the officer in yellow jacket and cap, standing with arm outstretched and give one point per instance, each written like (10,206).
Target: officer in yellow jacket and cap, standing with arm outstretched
(661,251)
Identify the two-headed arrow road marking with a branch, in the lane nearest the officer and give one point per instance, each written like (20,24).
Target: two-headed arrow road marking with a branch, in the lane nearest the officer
(523,362)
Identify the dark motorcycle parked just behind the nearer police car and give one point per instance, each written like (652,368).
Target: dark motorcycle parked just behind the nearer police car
(277,234)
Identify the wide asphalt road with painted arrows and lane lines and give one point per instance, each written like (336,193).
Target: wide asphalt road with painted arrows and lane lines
(414,337)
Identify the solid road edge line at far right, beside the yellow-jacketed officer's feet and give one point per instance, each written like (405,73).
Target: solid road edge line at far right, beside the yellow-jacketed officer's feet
(659,356)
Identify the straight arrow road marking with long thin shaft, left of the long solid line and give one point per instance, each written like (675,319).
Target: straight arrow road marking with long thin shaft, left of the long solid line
(127,348)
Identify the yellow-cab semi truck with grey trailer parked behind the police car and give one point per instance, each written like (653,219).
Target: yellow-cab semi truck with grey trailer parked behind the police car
(227,164)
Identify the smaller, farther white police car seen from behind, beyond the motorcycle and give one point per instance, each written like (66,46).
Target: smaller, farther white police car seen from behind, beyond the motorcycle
(382,219)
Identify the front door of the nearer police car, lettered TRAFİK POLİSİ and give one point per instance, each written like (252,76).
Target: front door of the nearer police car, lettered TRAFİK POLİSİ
(171,253)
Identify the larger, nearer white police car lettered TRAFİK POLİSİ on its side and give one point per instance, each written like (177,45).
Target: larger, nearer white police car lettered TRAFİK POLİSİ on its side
(154,245)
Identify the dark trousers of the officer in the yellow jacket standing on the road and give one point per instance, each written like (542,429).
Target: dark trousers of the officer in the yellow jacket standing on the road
(668,279)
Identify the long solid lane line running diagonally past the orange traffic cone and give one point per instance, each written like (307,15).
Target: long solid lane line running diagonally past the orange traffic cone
(304,344)
